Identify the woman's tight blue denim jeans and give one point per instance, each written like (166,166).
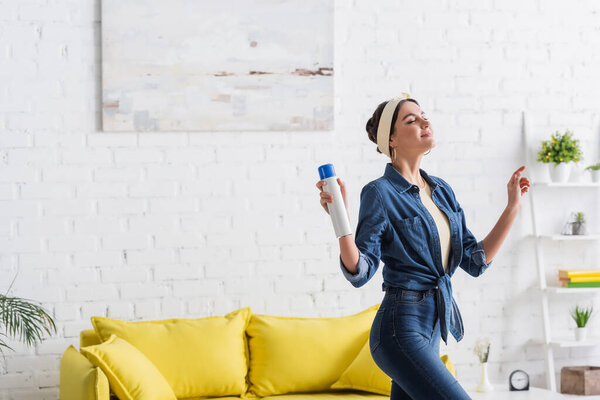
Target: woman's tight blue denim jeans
(405,344)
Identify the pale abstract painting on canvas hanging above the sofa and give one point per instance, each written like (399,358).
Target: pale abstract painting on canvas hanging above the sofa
(227,65)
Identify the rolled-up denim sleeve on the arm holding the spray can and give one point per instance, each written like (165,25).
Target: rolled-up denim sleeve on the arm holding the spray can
(372,222)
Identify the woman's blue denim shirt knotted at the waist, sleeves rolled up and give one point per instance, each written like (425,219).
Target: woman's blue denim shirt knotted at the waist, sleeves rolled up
(394,226)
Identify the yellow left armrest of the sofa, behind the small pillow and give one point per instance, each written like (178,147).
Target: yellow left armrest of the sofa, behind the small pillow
(80,379)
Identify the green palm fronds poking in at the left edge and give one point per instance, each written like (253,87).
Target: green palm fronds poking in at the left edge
(23,320)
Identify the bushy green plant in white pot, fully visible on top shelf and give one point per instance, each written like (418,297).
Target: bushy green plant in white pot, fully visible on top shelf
(560,151)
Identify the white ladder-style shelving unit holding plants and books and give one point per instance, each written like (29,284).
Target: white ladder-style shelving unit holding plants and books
(550,342)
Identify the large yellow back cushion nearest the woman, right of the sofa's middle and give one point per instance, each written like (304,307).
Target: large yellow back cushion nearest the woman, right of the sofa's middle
(292,354)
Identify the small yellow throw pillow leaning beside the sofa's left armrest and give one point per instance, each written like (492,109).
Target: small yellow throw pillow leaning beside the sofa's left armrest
(131,375)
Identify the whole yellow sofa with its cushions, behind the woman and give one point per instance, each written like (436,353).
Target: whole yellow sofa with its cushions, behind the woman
(240,355)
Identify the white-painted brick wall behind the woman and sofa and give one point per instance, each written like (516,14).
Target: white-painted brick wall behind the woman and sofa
(160,225)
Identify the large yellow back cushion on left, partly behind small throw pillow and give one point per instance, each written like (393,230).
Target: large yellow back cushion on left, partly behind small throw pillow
(202,357)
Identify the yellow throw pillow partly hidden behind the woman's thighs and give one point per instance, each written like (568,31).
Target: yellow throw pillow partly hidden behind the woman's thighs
(363,374)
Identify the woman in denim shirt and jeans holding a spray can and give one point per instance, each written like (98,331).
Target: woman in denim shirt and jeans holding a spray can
(413,223)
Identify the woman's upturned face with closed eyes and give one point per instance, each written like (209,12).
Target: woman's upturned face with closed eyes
(412,132)
